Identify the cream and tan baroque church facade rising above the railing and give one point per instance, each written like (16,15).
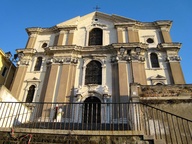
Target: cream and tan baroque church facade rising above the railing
(95,58)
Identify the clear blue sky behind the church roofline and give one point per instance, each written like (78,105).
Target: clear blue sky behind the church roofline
(16,15)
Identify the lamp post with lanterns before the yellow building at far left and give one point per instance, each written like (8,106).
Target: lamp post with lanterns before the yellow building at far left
(8,55)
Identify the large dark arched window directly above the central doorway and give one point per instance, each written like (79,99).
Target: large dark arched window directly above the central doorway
(93,73)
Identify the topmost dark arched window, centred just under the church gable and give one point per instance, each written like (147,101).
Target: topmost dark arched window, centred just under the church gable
(96,37)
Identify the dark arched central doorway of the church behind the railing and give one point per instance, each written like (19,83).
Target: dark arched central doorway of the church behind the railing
(92,110)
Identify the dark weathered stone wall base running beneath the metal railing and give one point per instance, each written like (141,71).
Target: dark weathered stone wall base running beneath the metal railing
(72,139)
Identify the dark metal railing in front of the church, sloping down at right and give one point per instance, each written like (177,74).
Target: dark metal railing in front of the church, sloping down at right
(98,117)
